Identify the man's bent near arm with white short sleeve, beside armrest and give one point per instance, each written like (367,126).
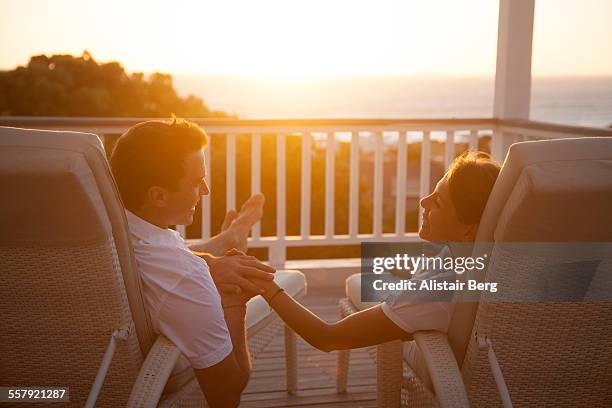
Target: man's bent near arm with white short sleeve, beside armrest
(211,335)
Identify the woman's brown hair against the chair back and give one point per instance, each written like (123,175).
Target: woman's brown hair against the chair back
(470,179)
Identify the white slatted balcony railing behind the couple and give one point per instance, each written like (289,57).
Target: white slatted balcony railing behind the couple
(380,134)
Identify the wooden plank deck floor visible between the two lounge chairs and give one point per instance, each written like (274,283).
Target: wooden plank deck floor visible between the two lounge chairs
(316,369)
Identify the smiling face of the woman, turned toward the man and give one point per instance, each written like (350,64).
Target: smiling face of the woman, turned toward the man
(440,221)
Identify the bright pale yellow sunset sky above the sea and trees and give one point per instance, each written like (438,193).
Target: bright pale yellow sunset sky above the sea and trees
(304,38)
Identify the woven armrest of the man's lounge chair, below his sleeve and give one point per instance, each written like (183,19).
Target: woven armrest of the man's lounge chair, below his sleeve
(154,374)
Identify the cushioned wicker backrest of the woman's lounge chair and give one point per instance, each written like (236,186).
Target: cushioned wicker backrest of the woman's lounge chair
(556,351)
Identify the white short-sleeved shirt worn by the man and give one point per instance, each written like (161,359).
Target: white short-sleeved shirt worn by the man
(180,294)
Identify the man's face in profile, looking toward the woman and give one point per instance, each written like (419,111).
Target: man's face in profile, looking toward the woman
(180,205)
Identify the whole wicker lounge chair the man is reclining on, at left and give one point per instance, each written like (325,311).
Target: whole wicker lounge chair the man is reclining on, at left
(71,304)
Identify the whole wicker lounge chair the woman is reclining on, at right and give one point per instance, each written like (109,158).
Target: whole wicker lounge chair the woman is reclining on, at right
(526,353)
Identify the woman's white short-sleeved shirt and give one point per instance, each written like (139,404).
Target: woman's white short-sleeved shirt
(413,311)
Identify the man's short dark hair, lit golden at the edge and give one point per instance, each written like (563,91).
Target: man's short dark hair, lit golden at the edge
(153,153)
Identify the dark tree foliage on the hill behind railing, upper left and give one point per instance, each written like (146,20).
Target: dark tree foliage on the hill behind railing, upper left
(64,85)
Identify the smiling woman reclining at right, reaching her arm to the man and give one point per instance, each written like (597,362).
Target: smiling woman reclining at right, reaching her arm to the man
(451,214)
